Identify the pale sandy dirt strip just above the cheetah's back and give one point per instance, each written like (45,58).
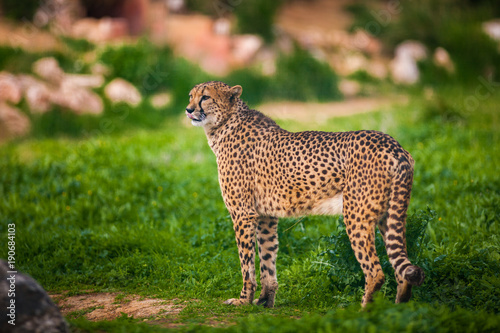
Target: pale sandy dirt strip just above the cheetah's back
(317,112)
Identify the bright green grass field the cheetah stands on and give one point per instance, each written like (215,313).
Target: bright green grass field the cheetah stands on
(141,212)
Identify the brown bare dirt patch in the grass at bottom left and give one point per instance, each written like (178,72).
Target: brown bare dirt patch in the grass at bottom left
(109,306)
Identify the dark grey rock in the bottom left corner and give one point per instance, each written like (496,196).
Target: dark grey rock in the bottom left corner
(34,310)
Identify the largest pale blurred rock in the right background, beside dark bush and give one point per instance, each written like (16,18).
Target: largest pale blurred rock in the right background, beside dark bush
(403,67)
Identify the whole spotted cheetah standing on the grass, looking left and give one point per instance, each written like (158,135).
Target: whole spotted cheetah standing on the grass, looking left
(266,173)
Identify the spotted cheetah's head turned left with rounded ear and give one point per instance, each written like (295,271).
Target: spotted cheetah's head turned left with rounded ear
(210,103)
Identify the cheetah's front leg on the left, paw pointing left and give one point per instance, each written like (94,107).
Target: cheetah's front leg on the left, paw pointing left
(244,228)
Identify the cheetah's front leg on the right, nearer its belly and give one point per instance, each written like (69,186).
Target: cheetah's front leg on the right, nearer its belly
(267,236)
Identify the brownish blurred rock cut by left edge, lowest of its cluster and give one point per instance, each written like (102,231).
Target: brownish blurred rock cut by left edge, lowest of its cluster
(13,123)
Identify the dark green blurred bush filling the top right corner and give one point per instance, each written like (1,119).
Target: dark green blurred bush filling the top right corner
(452,24)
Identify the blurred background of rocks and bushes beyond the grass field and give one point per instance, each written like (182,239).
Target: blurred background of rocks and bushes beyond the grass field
(65,64)
